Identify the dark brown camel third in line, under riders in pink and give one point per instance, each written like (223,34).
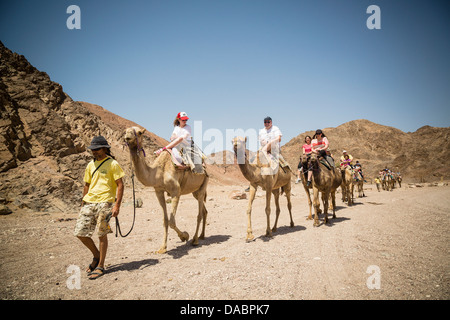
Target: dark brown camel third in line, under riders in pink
(325,181)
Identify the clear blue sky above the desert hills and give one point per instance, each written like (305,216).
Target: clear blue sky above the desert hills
(229,63)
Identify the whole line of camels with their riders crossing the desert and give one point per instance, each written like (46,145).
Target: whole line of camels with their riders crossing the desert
(179,169)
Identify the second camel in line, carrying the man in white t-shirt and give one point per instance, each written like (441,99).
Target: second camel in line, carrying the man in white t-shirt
(270,183)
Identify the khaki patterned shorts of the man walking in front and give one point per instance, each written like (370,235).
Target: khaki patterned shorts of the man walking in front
(93,215)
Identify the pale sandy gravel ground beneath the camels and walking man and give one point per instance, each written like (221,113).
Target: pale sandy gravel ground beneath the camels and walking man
(389,245)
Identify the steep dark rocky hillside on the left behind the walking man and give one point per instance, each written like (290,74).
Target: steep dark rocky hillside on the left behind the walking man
(43,139)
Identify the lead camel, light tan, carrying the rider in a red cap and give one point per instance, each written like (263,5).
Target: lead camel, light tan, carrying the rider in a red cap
(163,176)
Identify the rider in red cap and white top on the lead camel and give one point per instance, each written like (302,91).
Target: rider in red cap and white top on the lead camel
(181,136)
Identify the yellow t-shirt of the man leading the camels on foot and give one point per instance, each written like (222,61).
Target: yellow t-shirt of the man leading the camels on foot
(102,186)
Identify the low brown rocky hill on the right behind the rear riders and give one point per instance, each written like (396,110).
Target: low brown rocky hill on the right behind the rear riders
(419,156)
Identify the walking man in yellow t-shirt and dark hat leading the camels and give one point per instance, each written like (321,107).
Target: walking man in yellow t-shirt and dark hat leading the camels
(102,197)
